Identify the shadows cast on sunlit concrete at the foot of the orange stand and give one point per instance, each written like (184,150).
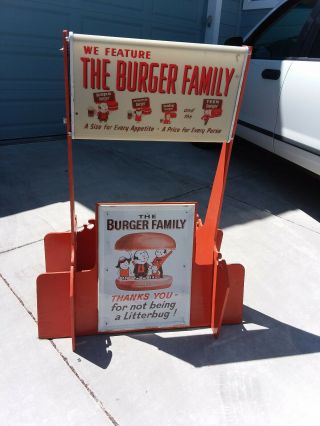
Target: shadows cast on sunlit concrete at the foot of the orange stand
(258,337)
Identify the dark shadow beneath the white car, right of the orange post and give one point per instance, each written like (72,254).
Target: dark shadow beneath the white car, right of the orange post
(271,183)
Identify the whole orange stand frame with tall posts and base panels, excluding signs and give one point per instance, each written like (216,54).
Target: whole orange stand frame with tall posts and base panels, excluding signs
(67,293)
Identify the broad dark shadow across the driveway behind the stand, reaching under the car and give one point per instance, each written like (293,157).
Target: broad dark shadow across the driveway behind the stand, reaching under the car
(35,175)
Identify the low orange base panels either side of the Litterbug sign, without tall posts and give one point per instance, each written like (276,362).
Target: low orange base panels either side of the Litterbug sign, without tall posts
(53,288)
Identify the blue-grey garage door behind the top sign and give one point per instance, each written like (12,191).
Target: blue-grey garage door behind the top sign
(31,74)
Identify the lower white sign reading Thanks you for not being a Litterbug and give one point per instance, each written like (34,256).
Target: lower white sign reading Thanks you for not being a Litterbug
(145,265)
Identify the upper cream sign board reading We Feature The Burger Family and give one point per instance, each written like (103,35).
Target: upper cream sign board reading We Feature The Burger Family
(150,90)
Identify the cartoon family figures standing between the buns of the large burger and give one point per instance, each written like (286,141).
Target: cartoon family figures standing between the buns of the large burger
(137,266)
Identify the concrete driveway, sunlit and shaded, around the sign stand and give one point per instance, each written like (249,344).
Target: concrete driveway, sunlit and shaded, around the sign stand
(263,372)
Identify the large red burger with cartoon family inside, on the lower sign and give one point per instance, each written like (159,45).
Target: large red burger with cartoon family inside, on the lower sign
(143,267)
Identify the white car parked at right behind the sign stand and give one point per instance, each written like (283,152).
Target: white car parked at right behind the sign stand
(281,105)
